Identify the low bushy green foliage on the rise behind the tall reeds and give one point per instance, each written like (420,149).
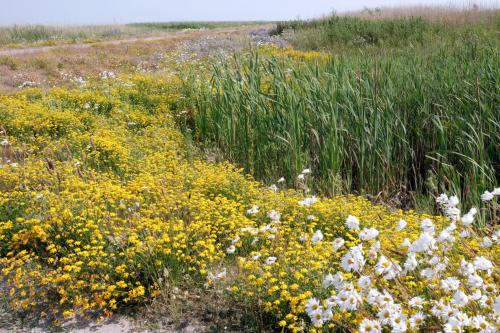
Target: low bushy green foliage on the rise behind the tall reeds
(336,33)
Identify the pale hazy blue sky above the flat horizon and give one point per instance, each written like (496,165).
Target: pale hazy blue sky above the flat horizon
(123,11)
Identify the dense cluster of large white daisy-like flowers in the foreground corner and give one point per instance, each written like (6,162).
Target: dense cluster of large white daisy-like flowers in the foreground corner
(456,300)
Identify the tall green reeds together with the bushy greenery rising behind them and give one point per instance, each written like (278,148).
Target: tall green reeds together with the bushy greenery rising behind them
(387,118)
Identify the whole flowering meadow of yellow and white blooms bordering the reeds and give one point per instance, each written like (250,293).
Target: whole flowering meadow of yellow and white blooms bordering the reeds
(104,196)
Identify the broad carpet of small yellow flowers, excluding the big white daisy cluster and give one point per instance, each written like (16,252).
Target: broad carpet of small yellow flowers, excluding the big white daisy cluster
(99,194)
